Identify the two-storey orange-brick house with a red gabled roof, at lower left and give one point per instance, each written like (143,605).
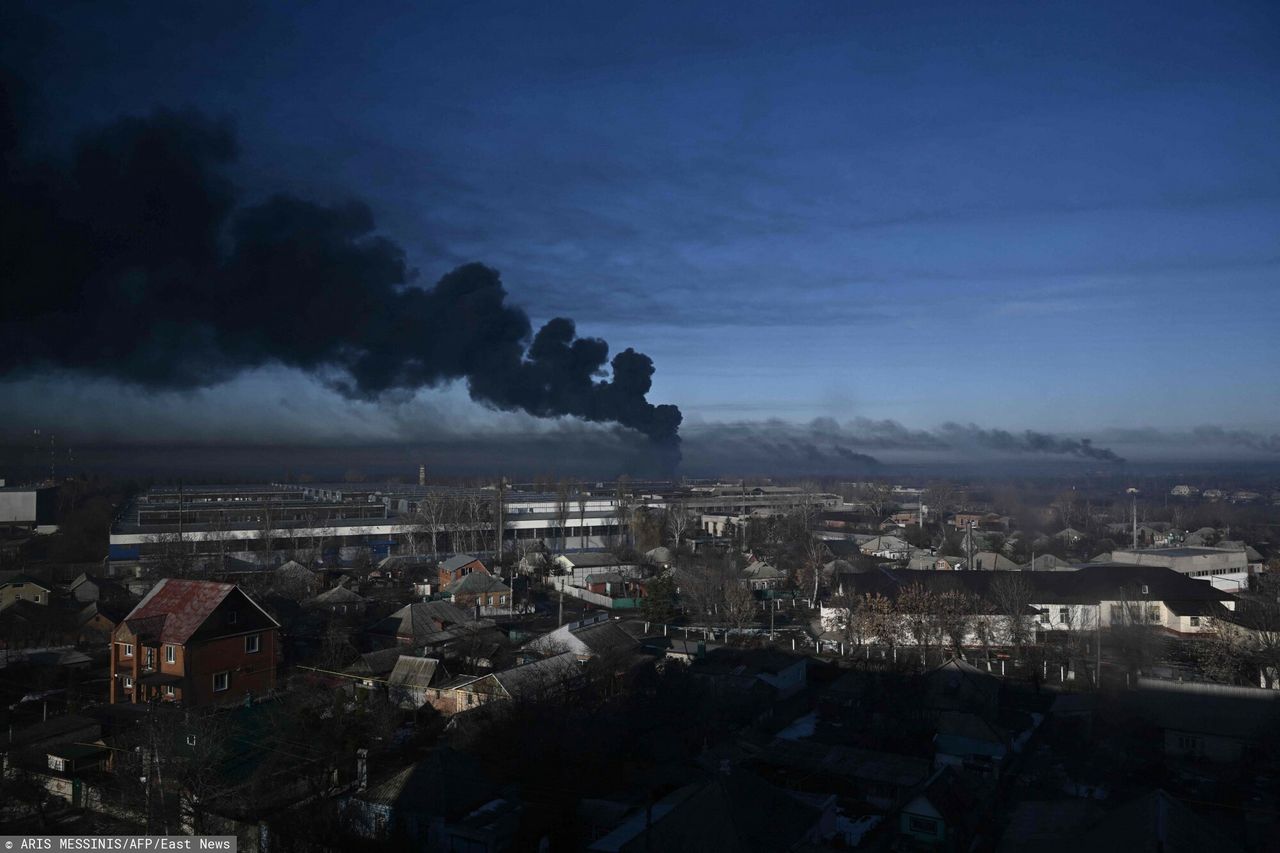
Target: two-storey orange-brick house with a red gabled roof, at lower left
(194,642)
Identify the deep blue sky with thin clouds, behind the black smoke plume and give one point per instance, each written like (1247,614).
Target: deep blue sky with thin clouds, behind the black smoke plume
(1055,217)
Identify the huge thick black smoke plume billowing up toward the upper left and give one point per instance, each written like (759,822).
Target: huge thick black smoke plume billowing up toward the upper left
(138,261)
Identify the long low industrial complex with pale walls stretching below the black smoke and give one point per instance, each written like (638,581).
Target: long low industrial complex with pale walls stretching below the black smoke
(336,523)
